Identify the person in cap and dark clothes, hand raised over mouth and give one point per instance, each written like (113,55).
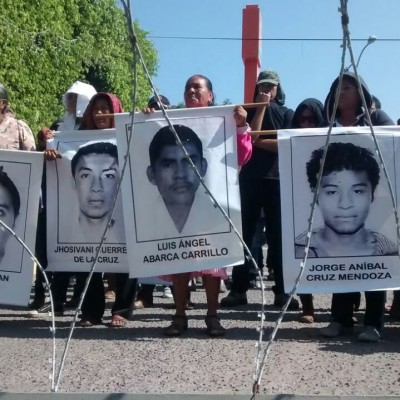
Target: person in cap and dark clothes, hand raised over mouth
(260,189)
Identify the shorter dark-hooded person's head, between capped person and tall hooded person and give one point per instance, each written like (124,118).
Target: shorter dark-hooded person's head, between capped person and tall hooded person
(308,114)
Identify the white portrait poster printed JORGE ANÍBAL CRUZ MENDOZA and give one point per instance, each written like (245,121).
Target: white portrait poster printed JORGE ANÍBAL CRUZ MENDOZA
(354,241)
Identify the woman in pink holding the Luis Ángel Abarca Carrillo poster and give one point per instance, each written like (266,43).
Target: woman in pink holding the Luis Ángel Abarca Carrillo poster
(199,93)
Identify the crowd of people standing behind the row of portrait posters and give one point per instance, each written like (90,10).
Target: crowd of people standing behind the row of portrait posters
(260,205)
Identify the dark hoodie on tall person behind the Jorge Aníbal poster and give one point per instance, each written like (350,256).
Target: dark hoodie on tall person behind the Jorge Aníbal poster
(378,117)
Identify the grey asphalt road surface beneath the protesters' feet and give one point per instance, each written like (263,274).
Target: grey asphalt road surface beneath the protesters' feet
(139,359)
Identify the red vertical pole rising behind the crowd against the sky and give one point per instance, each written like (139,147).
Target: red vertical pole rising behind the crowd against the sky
(251,48)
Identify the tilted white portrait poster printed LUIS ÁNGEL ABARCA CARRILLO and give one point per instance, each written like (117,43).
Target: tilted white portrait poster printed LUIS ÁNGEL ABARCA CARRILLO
(171,223)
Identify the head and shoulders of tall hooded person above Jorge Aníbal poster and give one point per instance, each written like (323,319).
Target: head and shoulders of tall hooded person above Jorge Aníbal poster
(350,111)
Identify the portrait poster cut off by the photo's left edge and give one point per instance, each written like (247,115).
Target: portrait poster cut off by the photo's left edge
(20,180)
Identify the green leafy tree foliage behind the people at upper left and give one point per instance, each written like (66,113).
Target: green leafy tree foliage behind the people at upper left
(49,44)
